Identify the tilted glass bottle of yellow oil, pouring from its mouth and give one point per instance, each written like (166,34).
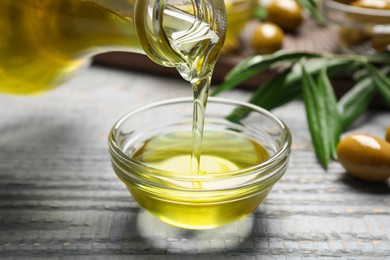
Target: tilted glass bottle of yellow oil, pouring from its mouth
(44,42)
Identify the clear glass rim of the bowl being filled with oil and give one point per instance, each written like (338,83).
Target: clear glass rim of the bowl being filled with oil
(281,153)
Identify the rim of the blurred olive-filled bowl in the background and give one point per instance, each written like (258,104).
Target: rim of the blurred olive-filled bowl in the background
(355,10)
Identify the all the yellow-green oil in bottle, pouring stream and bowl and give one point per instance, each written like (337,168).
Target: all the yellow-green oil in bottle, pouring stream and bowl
(43,43)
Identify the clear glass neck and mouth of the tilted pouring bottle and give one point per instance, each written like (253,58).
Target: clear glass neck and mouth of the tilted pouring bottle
(168,29)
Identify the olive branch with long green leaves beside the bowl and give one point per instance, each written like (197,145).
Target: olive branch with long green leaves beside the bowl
(308,76)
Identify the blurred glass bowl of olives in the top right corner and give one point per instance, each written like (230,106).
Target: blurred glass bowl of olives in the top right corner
(361,30)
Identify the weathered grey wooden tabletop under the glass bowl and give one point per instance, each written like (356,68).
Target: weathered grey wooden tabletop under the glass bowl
(59,198)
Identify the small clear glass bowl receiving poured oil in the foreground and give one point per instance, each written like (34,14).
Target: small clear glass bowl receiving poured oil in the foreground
(236,172)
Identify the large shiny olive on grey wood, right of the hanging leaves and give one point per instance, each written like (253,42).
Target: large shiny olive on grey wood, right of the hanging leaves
(365,157)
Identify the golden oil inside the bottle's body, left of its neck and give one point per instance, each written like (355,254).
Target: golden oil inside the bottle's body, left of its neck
(44,42)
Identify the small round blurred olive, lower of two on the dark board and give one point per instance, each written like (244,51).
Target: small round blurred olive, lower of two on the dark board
(267,38)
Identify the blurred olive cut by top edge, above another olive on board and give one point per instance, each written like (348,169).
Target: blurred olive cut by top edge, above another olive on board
(285,13)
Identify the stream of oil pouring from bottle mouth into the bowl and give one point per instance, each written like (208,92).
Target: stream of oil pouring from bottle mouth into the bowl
(196,43)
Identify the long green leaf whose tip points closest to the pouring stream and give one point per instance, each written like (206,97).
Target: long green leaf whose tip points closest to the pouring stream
(256,64)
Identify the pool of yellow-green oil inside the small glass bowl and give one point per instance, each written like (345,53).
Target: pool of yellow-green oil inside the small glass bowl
(182,203)
